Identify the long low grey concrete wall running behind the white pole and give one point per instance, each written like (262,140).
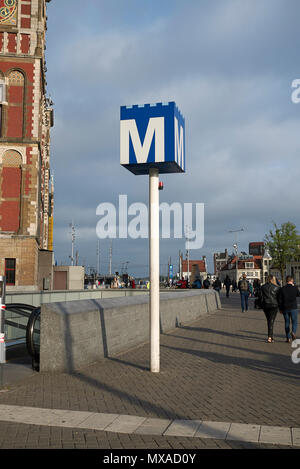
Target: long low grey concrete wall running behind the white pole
(78,333)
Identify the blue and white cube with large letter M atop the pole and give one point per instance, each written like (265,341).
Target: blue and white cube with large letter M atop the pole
(152,136)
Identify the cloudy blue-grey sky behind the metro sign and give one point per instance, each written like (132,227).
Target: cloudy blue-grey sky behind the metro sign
(229,66)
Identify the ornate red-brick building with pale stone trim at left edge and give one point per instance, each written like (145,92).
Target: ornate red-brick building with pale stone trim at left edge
(26,116)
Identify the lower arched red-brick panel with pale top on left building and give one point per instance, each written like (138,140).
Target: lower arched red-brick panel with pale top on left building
(10,191)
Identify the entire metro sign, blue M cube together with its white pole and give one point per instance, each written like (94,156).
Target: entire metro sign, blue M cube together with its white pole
(152,141)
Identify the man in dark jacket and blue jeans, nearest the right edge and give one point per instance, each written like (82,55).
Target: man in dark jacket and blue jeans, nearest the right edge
(288,305)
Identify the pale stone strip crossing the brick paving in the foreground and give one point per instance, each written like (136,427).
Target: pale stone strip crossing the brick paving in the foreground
(132,424)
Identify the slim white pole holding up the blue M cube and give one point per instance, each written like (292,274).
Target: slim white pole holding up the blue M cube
(154,269)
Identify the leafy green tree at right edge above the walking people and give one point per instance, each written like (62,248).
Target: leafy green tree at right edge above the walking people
(283,244)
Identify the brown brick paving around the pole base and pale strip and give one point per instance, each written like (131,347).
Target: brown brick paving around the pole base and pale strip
(219,368)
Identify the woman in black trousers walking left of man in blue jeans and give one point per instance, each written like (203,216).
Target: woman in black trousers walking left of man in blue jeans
(269,300)
